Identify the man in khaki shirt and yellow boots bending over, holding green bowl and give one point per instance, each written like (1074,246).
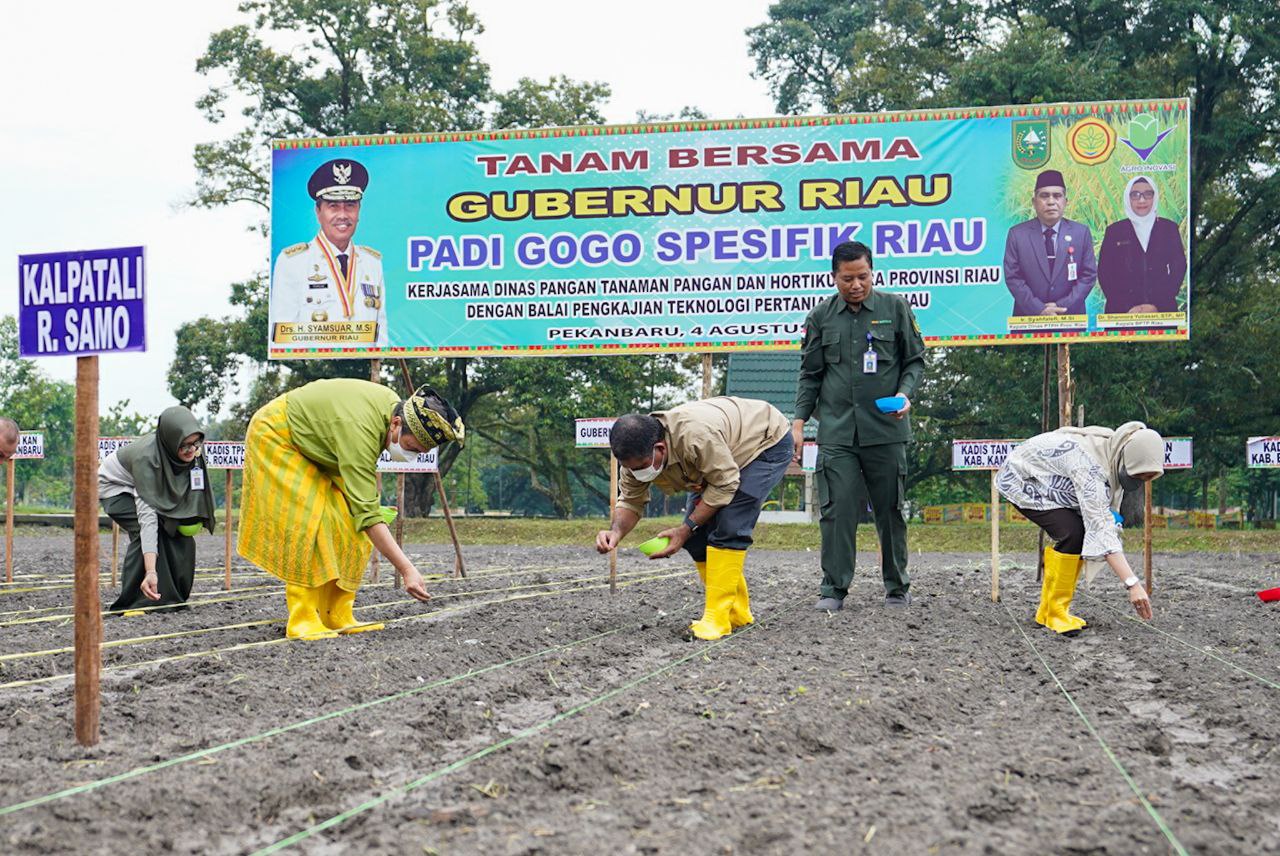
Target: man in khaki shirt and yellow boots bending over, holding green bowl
(729,454)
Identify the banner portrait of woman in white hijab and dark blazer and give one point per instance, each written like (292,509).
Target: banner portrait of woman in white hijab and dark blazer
(1142,262)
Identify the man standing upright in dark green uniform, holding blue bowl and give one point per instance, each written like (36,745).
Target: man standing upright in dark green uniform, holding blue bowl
(860,347)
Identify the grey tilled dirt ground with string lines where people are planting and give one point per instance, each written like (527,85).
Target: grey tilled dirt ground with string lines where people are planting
(528,711)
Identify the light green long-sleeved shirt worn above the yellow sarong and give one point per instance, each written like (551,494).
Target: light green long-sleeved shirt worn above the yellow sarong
(341,427)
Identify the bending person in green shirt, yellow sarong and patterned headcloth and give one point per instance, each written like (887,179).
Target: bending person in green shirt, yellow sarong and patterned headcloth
(312,510)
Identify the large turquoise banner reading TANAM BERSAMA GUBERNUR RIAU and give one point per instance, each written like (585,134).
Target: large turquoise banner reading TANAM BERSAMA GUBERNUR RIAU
(717,236)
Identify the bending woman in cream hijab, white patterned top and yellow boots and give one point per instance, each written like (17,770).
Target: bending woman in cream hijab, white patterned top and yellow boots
(1071,483)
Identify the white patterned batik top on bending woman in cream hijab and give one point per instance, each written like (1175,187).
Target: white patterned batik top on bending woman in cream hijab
(1055,472)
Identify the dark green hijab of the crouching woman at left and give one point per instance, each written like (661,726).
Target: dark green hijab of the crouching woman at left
(162,479)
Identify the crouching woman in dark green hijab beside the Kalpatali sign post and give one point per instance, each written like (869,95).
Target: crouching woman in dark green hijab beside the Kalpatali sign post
(158,491)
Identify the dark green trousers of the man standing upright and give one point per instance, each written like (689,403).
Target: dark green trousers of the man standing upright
(848,477)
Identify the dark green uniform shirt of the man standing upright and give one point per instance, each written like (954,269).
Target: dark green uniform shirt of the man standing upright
(833,383)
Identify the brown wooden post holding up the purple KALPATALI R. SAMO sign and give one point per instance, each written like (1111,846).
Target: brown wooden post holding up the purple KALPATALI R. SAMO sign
(89,617)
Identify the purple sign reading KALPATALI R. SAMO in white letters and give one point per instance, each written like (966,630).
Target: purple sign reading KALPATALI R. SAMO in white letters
(81,303)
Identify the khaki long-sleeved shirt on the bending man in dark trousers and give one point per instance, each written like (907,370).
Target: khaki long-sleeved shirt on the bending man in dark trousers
(708,443)
